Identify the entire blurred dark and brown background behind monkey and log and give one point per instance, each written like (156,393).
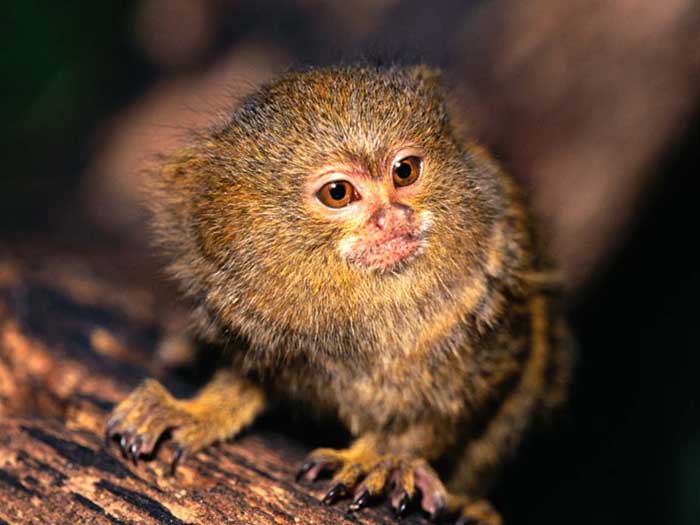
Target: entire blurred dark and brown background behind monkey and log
(593,105)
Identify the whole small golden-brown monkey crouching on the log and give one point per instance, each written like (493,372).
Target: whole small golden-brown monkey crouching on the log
(380,267)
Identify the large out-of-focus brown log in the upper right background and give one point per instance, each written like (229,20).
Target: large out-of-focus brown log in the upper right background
(582,98)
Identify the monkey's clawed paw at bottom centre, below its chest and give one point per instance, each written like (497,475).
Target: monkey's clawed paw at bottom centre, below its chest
(364,475)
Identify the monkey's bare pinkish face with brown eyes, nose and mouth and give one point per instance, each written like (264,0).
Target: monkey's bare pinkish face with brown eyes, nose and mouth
(384,230)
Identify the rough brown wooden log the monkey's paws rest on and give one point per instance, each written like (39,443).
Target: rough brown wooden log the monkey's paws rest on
(70,347)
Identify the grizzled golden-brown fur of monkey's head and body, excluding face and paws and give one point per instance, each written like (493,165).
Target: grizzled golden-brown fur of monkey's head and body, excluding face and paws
(452,354)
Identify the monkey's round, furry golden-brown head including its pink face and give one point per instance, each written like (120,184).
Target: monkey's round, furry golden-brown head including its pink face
(329,198)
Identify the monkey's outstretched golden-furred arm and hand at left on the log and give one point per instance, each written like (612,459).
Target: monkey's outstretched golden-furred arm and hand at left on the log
(220,410)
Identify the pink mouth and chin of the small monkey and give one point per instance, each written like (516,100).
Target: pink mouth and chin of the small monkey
(386,253)
